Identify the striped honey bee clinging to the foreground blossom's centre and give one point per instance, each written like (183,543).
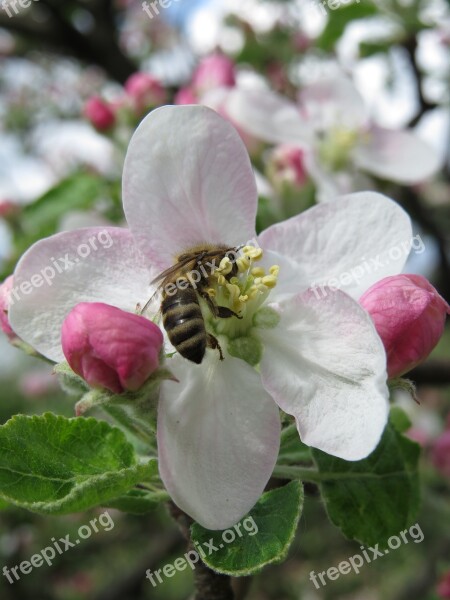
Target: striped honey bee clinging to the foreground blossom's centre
(180,307)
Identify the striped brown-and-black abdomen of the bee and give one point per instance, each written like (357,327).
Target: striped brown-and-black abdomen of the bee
(184,324)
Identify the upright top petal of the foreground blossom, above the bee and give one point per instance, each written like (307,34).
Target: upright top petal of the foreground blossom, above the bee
(187,180)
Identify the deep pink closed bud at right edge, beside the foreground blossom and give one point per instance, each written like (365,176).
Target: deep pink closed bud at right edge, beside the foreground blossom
(409,316)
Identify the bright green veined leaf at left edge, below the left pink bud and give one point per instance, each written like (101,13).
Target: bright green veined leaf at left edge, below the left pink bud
(54,465)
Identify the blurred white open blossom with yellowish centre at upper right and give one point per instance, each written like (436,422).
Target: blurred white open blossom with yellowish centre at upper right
(332,125)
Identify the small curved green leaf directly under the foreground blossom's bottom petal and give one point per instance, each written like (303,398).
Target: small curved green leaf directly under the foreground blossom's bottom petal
(266,534)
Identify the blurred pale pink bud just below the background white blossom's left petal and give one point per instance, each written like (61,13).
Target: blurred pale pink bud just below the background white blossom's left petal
(287,165)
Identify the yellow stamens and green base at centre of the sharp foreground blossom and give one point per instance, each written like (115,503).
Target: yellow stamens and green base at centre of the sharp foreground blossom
(243,293)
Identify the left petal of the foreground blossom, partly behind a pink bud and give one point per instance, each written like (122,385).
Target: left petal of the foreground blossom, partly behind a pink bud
(52,277)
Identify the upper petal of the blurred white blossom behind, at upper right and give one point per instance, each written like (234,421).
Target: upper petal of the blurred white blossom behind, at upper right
(333,102)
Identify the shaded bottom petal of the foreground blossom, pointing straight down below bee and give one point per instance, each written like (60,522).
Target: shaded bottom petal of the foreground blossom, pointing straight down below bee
(218,439)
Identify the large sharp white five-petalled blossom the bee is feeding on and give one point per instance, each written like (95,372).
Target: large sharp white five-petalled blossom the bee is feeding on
(188,181)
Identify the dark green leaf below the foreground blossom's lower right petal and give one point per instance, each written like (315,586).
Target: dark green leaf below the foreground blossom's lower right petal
(373,499)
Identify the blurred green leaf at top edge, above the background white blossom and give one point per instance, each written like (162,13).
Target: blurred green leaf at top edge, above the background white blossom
(340,18)
